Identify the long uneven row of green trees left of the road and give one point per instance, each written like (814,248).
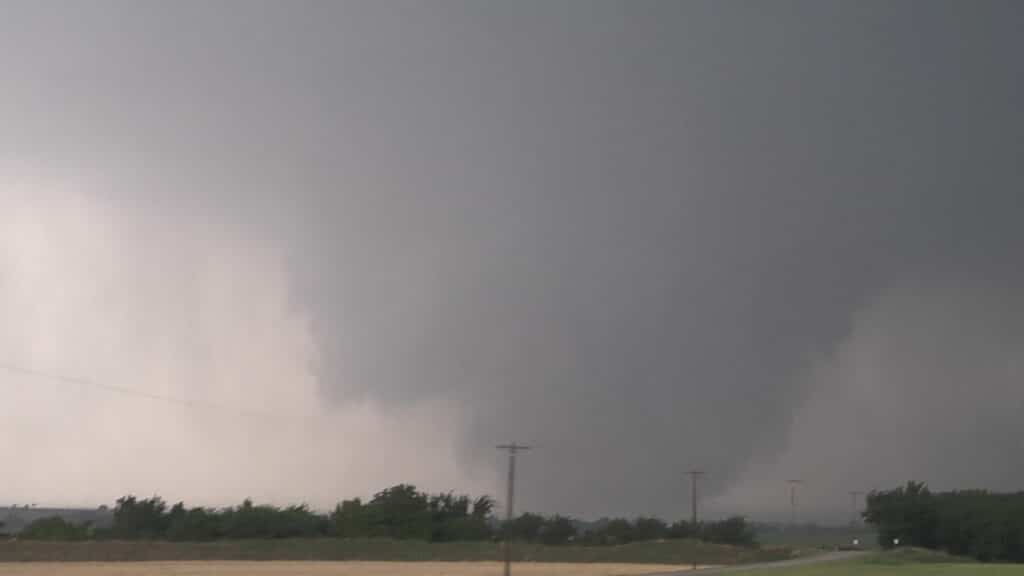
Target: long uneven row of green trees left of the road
(401,513)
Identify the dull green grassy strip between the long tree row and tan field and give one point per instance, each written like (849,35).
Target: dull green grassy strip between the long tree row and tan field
(668,553)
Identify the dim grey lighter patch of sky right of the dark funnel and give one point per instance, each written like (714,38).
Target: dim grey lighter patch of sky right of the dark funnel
(926,387)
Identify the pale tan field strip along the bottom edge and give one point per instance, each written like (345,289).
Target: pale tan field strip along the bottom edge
(326,569)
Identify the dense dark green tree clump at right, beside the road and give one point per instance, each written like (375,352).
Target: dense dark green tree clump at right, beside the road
(984,525)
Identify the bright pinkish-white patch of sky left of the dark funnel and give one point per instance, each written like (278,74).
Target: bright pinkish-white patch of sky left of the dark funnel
(125,297)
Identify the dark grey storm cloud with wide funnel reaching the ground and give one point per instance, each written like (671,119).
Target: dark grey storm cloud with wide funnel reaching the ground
(627,232)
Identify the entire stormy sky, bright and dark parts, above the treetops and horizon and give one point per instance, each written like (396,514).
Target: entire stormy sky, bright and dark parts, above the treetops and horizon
(770,240)
